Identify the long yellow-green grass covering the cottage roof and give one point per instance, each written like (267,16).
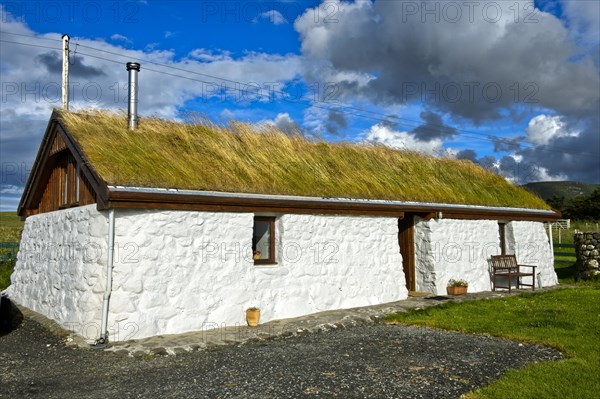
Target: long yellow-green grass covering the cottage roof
(246,158)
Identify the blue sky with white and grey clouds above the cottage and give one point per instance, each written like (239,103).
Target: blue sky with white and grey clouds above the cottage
(499,83)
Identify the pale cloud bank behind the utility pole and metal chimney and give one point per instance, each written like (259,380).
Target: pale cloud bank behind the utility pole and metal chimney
(31,82)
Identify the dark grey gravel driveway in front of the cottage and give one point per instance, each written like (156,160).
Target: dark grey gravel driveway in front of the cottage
(379,361)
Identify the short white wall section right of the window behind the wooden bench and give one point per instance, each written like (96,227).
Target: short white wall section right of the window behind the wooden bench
(530,244)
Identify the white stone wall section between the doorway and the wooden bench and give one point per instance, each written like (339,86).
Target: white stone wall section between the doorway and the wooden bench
(448,249)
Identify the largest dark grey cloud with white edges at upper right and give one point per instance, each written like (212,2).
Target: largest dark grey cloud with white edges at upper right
(382,51)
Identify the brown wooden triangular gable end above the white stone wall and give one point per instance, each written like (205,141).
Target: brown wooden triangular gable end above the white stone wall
(61,177)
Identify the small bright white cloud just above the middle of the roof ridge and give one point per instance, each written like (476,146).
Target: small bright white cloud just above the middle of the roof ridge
(402,140)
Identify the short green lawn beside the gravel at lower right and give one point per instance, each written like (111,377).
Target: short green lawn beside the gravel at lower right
(567,319)
